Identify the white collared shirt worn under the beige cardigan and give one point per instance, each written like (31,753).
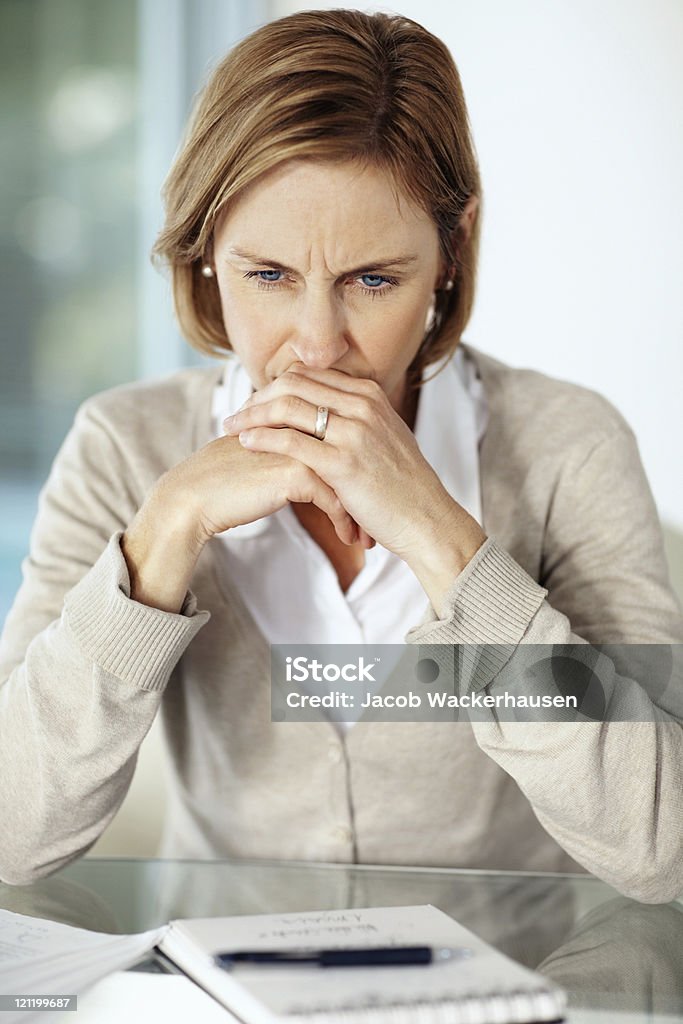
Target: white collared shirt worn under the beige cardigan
(386,600)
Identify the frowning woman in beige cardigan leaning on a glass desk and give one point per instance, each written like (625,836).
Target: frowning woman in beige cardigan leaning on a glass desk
(322,486)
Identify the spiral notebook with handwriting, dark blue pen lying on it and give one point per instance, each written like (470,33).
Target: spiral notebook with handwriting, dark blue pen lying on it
(485,989)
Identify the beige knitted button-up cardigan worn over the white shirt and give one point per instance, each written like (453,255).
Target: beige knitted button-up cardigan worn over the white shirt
(575,551)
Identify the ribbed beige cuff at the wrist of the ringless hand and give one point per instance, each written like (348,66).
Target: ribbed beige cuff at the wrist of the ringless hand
(135,643)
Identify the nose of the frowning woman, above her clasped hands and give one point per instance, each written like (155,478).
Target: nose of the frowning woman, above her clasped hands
(319,337)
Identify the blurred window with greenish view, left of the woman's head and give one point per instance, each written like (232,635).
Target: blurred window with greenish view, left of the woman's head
(96,97)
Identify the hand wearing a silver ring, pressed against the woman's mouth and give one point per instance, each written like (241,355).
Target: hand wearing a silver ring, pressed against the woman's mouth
(370,457)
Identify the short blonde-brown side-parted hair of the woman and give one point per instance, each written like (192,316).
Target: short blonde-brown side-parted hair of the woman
(329,86)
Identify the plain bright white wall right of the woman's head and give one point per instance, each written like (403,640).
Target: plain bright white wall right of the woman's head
(576,108)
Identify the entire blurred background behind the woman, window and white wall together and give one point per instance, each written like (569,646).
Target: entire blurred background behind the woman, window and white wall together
(576,108)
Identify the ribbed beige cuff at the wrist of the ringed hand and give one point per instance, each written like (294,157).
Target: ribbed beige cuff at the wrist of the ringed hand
(487,612)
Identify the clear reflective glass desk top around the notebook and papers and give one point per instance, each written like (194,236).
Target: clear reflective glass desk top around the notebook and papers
(612,955)
